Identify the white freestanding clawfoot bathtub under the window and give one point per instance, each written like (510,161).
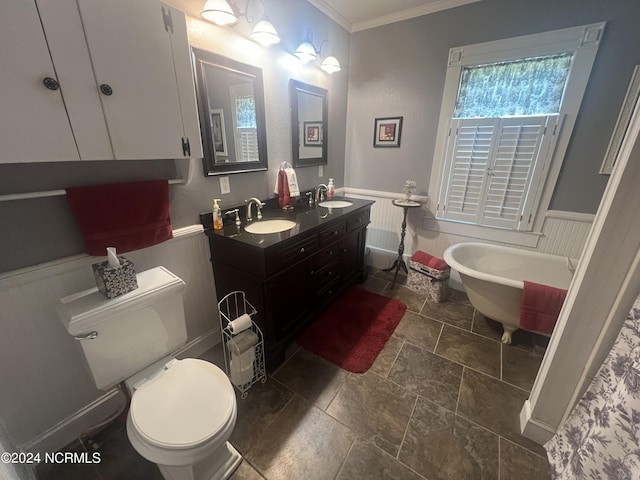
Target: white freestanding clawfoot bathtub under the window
(493,278)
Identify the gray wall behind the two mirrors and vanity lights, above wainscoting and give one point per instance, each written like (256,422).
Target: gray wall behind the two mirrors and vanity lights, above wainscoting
(35,231)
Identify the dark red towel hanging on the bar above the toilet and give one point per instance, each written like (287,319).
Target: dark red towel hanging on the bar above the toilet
(128,216)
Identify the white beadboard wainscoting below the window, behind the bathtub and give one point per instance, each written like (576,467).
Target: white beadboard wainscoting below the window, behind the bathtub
(563,233)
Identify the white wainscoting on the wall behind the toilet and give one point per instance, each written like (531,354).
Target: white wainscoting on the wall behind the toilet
(48,397)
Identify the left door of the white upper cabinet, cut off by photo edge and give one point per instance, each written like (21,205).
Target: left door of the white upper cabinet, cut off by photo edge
(35,126)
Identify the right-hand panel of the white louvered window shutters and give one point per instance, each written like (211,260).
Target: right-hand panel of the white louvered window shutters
(517,150)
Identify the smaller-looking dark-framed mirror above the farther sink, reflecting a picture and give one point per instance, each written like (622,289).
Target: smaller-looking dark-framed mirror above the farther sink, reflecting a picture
(308,124)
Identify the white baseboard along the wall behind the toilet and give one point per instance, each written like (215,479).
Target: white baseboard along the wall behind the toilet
(72,427)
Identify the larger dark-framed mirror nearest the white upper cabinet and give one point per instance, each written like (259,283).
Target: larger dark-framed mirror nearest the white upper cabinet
(231,106)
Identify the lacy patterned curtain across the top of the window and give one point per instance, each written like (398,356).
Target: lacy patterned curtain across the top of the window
(531,86)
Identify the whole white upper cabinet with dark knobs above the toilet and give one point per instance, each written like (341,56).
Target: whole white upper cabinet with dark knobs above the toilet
(124,75)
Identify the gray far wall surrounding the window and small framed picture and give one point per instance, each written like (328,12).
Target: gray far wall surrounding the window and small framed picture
(399,70)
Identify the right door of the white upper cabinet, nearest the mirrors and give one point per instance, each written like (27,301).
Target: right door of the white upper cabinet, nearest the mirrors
(133,62)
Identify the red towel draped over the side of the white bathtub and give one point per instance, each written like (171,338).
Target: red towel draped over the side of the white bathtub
(540,307)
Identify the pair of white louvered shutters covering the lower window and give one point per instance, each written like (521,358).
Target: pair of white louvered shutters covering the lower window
(493,170)
